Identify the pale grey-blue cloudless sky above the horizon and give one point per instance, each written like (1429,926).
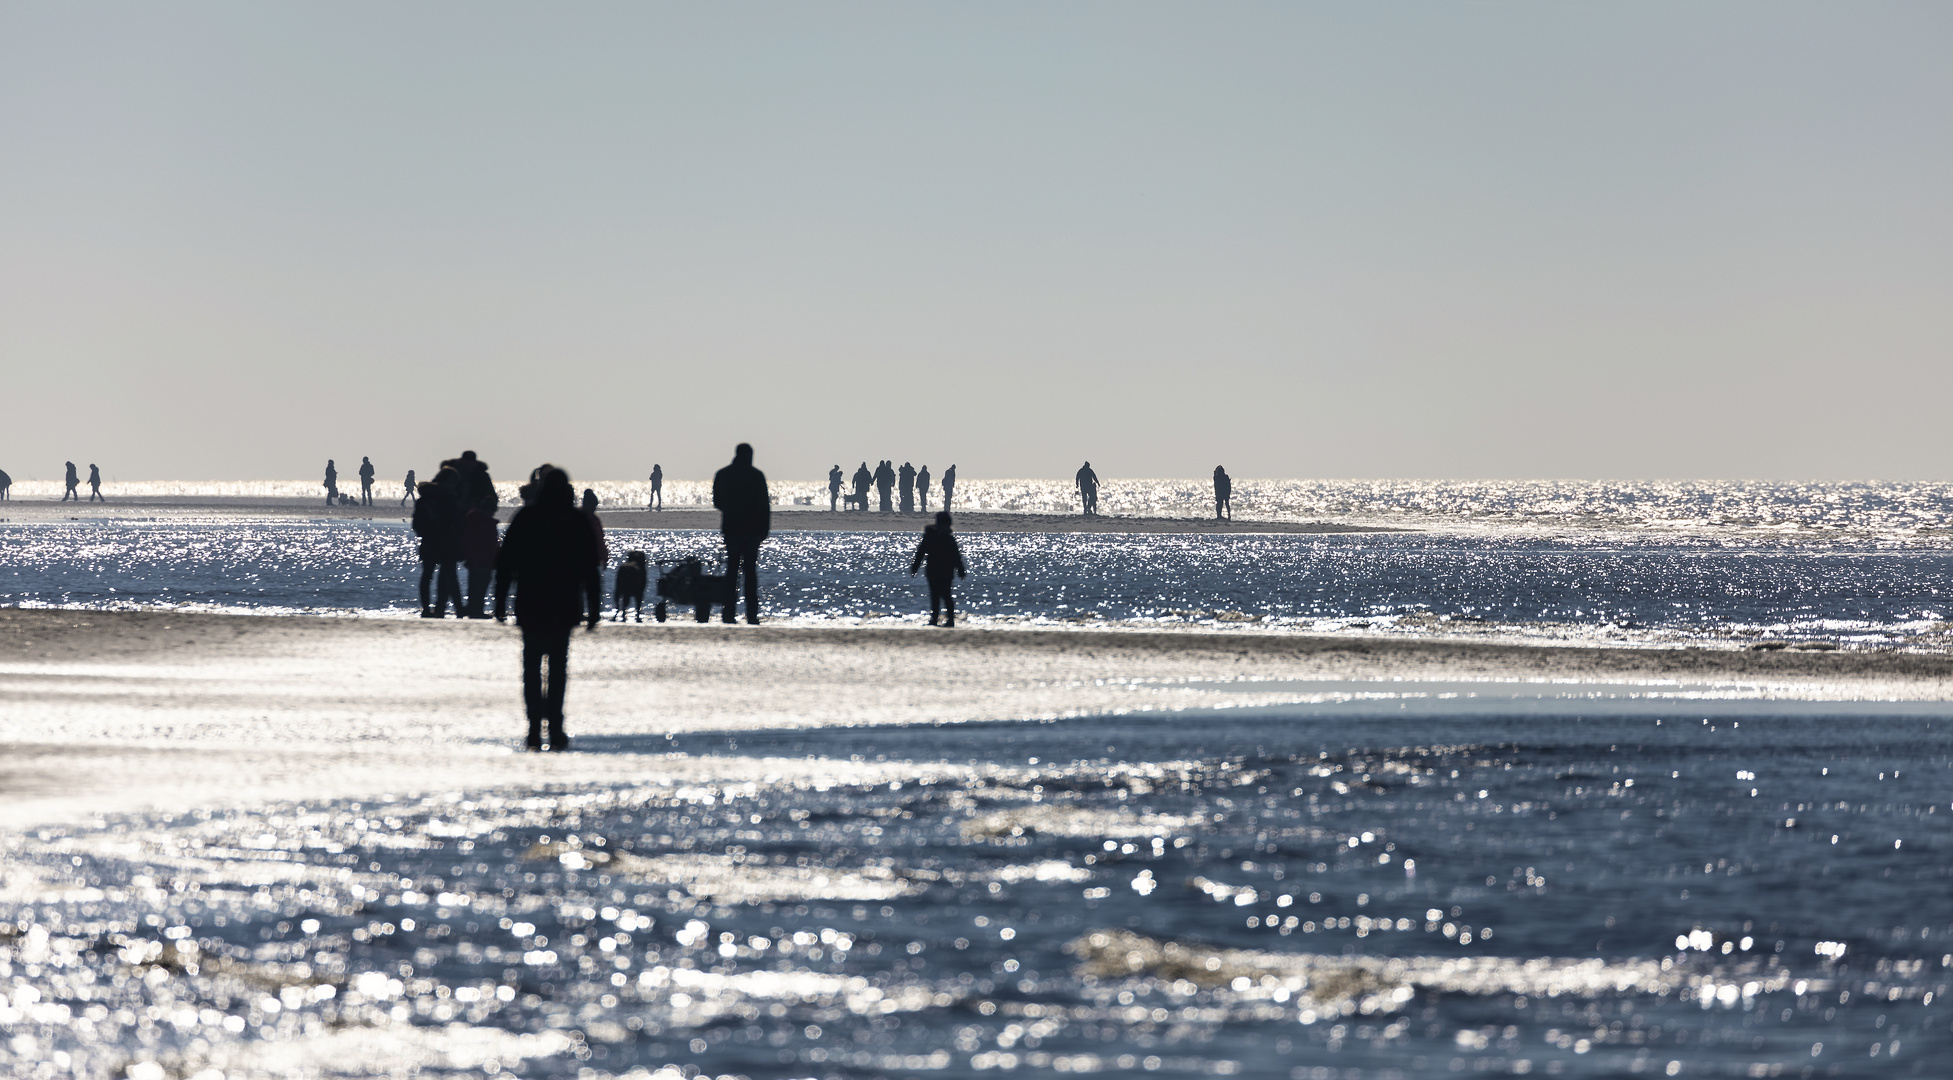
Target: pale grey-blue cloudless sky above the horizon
(1413,241)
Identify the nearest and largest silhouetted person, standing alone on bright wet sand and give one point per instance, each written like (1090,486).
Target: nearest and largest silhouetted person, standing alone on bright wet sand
(550,558)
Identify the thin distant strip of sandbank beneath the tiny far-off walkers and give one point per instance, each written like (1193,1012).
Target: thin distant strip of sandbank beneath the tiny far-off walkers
(786,519)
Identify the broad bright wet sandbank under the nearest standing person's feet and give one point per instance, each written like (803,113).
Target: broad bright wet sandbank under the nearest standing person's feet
(147,710)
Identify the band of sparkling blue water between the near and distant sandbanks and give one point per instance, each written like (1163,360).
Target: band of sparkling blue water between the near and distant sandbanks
(1614,587)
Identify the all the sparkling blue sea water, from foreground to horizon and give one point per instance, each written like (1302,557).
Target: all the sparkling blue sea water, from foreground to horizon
(1401,882)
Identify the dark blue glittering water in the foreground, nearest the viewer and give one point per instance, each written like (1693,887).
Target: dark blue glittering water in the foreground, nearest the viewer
(1304,893)
